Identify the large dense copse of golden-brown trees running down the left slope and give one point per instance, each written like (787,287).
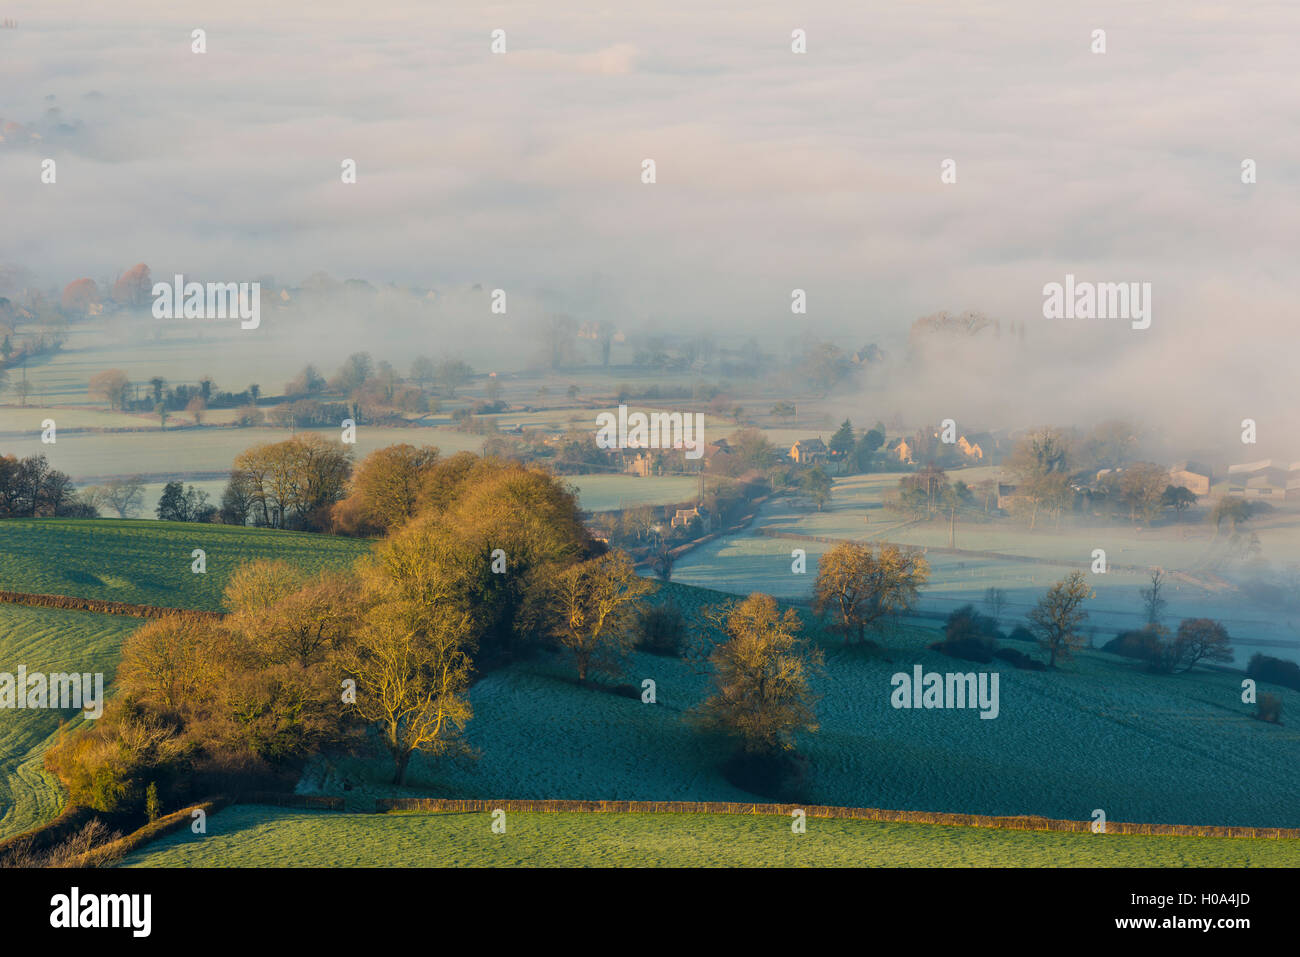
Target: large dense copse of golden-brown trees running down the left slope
(495,562)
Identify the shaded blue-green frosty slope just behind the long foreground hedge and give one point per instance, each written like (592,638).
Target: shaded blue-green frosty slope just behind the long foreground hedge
(1098,734)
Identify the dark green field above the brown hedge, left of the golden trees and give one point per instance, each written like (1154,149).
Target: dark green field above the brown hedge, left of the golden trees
(150,562)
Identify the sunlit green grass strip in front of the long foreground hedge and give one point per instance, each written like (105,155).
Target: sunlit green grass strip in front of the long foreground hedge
(257,837)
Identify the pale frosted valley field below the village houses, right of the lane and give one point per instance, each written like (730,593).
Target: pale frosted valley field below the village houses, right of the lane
(752,561)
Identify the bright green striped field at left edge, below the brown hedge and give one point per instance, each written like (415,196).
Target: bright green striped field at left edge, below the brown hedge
(46,640)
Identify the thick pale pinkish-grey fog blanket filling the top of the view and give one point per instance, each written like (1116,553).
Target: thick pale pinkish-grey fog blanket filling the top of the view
(775,171)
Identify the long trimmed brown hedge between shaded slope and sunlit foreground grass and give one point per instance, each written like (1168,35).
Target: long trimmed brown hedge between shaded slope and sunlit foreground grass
(1008,824)
